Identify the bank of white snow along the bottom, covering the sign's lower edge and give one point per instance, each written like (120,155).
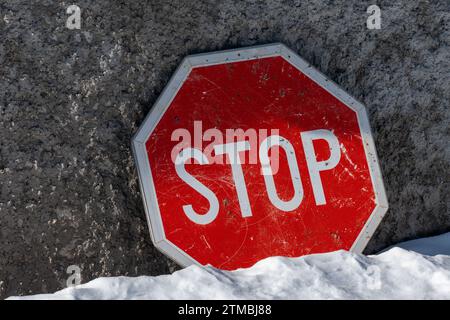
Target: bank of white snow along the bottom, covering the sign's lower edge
(418,269)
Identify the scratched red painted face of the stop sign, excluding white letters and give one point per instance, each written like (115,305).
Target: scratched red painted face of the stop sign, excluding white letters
(266,93)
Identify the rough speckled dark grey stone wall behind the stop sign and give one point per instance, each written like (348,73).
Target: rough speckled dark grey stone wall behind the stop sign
(70,100)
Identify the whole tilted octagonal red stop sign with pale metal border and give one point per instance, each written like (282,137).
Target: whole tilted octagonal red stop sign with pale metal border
(252,153)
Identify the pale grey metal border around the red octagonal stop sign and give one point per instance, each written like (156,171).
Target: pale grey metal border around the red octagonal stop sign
(242,54)
